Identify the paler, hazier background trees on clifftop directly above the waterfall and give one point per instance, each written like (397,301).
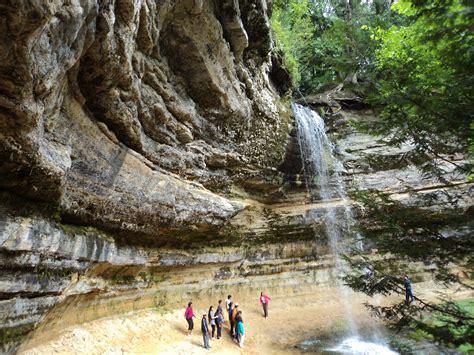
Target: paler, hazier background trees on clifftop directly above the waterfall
(327,42)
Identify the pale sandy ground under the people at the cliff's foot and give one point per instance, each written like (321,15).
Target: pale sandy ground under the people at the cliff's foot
(291,320)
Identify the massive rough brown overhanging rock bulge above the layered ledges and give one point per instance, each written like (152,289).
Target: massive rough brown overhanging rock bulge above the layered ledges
(107,106)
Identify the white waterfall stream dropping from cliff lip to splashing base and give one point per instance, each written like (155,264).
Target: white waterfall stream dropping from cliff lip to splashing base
(322,171)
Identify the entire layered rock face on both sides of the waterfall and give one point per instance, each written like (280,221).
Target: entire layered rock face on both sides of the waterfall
(146,157)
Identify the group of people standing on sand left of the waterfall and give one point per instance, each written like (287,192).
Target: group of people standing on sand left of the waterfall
(216,320)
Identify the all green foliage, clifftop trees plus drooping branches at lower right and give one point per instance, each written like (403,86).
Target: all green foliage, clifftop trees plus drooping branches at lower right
(414,63)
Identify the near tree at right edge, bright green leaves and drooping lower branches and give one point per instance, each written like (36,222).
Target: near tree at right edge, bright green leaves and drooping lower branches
(422,90)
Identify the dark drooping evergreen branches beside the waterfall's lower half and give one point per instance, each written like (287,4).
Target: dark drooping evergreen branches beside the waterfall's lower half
(404,235)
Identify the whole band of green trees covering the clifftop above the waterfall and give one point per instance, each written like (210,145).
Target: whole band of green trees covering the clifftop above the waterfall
(411,60)
